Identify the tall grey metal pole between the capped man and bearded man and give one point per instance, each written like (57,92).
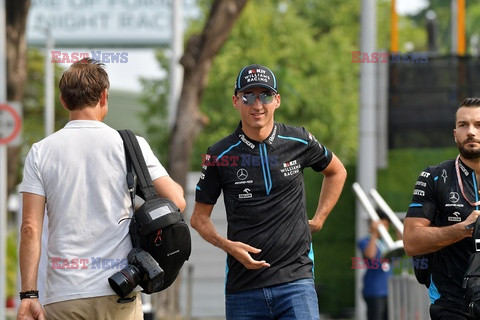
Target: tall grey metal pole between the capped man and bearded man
(366,165)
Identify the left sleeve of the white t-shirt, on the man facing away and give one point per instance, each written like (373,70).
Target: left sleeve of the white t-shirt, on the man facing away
(32,181)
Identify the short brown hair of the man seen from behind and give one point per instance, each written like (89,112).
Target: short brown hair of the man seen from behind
(82,84)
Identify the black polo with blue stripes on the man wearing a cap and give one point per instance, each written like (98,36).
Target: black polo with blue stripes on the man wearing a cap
(263,189)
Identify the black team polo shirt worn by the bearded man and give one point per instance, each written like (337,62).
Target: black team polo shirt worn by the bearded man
(438,197)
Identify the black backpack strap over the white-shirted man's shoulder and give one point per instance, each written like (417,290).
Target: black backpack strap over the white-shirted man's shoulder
(136,160)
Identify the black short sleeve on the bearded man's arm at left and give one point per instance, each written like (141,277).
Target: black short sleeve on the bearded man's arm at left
(424,203)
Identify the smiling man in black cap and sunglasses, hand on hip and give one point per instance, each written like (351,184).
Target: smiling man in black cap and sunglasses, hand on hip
(259,168)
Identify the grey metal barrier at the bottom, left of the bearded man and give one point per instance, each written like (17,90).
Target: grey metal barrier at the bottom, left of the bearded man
(407,299)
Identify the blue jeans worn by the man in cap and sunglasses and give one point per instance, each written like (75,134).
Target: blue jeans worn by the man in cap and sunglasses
(292,300)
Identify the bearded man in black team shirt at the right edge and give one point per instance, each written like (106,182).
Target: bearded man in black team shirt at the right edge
(443,211)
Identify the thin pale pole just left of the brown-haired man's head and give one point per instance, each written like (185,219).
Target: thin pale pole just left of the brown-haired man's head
(49,85)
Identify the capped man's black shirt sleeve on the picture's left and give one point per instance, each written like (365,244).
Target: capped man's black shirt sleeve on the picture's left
(209,185)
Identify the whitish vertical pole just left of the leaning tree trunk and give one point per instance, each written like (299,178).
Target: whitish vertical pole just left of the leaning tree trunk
(176,70)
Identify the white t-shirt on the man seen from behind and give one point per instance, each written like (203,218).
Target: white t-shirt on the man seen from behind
(81,172)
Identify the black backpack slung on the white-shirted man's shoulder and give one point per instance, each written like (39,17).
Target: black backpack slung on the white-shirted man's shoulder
(158,226)
